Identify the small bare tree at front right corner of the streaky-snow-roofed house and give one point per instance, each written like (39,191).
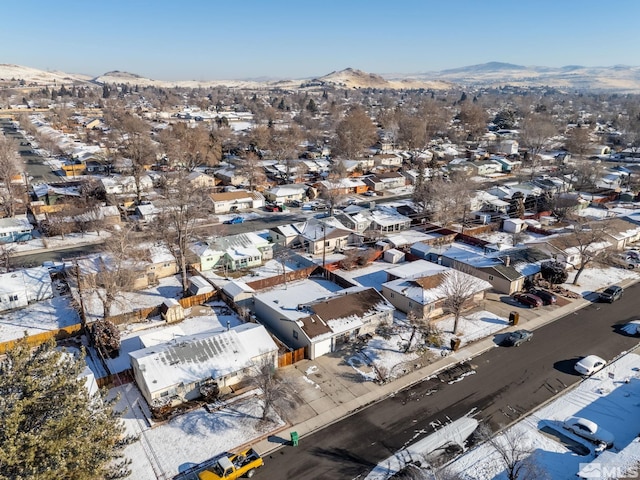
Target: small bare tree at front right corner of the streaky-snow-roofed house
(278,394)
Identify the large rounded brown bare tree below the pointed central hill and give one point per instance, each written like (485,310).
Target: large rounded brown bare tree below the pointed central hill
(355,132)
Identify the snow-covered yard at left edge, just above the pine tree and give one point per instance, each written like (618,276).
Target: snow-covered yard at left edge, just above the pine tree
(44,316)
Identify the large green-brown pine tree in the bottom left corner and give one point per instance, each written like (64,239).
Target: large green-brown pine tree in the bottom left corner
(51,427)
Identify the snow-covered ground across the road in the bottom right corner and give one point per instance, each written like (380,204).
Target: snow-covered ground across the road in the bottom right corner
(609,398)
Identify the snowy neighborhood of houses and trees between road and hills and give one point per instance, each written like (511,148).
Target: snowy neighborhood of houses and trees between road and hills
(195,238)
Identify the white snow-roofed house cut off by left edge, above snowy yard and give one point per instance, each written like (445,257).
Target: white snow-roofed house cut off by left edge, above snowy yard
(22,287)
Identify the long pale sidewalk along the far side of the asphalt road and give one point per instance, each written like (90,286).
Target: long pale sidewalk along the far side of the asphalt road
(306,424)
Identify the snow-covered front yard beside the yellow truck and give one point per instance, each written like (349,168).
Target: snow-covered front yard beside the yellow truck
(191,438)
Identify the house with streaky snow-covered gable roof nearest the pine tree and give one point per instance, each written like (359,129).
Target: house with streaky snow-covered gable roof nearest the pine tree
(174,371)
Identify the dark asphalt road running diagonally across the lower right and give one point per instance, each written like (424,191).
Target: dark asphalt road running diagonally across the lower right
(508,382)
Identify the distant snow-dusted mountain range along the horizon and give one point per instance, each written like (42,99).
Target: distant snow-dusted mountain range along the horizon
(618,78)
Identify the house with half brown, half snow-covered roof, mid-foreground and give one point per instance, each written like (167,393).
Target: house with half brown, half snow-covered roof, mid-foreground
(320,325)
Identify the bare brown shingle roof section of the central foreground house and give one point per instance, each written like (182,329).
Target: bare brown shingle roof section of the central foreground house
(351,304)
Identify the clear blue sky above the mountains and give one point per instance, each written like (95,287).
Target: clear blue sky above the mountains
(238,39)
